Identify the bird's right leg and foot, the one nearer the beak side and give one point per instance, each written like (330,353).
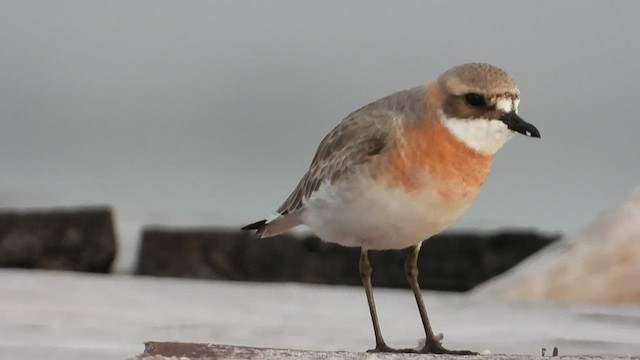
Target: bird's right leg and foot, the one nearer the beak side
(432,343)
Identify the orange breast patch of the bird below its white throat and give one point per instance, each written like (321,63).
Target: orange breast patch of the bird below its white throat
(428,155)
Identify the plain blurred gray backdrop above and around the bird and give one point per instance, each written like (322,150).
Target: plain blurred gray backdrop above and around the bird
(212,110)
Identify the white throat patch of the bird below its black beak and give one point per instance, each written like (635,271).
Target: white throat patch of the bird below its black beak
(485,136)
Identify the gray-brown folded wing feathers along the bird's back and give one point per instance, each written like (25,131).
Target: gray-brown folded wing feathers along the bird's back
(363,134)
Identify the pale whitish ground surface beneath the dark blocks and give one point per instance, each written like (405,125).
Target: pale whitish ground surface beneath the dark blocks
(78,316)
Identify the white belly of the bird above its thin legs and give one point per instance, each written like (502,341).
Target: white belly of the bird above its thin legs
(378,218)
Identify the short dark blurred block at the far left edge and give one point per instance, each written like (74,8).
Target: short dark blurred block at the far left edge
(78,239)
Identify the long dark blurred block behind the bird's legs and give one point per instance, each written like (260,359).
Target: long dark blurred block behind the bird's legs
(455,261)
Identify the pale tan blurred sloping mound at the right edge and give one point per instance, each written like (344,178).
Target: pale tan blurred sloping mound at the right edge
(599,265)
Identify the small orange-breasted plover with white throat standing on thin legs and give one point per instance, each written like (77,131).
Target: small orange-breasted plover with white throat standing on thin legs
(403,168)
